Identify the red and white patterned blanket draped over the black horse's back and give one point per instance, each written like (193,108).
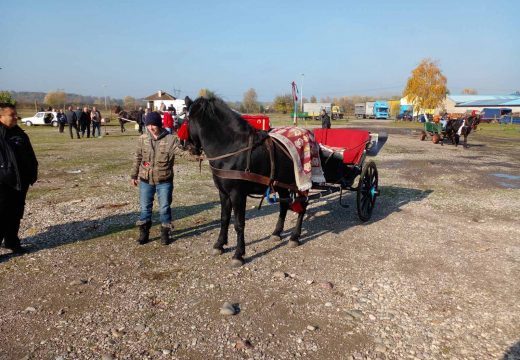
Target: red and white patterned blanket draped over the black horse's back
(305,153)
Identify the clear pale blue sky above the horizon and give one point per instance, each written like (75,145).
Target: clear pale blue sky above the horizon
(343,48)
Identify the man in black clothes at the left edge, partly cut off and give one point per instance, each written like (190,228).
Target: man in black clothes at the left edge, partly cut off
(18,170)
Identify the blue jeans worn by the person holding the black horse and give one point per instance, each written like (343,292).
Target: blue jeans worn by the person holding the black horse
(146,195)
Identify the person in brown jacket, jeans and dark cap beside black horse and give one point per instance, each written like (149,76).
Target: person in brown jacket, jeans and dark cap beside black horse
(153,171)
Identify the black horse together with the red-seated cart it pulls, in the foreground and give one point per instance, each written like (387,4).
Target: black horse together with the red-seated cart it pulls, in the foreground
(246,162)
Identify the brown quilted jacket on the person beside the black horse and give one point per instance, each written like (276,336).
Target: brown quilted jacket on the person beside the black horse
(154,158)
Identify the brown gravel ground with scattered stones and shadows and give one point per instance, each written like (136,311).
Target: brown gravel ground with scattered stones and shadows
(433,275)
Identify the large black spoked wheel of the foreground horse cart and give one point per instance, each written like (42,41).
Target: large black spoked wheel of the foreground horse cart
(367,191)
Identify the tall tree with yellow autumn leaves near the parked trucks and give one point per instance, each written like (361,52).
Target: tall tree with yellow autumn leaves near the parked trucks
(426,87)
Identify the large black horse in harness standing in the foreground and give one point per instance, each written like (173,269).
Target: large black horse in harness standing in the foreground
(225,138)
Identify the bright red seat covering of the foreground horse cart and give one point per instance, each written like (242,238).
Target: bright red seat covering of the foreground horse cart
(351,142)
